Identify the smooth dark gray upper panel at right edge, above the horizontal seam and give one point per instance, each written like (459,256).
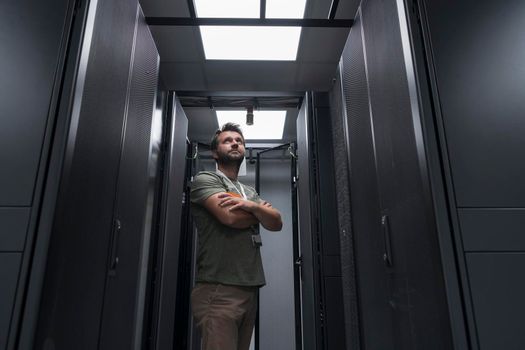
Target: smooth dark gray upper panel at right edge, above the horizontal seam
(481,97)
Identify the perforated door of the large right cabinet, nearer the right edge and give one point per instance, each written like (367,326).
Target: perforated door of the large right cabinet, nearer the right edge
(418,301)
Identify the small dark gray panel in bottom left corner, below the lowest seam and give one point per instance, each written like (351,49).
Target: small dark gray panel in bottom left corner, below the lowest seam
(9,266)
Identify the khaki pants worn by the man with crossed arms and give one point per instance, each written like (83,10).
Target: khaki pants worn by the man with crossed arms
(225,315)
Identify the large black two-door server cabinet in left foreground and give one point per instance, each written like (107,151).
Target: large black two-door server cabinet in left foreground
(93,270)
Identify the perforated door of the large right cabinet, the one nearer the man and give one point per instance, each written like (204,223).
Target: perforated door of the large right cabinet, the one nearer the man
(364,198)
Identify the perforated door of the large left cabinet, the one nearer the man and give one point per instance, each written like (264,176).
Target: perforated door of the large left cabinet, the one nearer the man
(122,288)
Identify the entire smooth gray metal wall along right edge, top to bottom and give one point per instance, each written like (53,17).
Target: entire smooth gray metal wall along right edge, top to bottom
(479,111)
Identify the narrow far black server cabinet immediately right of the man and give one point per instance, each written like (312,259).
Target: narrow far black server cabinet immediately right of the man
(323,318)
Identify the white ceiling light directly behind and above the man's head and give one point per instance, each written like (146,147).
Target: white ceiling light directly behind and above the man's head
(267,125)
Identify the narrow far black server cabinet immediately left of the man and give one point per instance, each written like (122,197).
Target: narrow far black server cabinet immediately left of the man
(171,306)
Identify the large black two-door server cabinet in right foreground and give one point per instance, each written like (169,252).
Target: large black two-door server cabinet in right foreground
(401,294)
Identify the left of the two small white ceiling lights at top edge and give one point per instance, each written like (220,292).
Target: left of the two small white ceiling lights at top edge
(228,8)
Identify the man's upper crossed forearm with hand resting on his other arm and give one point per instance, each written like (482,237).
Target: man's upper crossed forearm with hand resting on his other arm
(268,216)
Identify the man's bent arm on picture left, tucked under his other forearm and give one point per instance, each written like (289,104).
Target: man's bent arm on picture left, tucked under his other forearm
(233,218)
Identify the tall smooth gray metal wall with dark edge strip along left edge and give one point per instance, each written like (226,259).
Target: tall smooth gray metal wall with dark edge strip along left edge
(32,68)
